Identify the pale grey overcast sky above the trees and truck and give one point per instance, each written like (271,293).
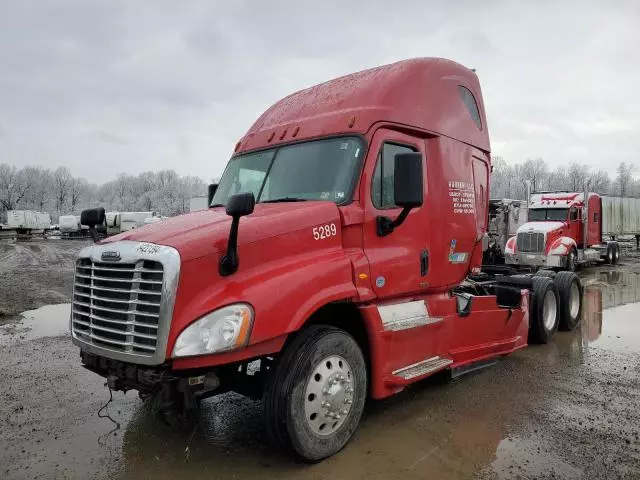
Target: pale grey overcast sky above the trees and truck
(127,86)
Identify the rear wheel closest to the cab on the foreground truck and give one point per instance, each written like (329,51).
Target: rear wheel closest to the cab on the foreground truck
(543,314)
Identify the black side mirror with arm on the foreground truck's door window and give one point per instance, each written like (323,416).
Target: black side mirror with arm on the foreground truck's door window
(408,190)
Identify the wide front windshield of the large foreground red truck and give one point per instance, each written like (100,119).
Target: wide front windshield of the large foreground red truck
(316,170)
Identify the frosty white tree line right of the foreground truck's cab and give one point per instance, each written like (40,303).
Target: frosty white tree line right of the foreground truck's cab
(511,180)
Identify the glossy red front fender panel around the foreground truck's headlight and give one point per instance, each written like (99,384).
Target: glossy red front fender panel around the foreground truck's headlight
(305,279)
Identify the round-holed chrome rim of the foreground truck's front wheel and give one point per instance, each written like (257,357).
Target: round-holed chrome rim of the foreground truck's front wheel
(329,395)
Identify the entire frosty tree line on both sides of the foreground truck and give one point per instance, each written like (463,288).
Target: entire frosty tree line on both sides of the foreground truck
(57,192)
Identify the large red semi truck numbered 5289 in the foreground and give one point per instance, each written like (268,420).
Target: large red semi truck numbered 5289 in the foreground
(340,259)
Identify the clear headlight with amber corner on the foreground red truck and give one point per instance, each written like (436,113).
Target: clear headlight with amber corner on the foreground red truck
(224,329)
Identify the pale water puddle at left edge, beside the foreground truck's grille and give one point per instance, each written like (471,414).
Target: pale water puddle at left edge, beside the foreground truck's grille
(47,321)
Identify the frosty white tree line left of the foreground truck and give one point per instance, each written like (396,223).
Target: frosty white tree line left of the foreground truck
(57,192)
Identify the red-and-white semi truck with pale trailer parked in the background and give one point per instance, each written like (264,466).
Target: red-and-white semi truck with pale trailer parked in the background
(564,231)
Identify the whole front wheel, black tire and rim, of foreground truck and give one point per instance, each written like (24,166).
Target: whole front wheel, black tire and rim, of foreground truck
(316,358)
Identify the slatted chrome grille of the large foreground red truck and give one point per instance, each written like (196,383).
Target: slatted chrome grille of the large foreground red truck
(117,305)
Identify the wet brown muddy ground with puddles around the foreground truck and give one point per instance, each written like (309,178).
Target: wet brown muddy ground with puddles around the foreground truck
(570,409)
